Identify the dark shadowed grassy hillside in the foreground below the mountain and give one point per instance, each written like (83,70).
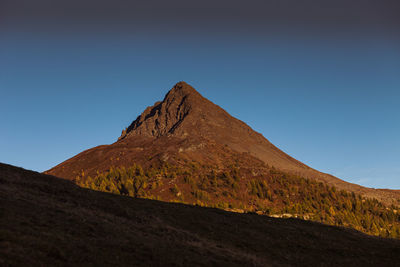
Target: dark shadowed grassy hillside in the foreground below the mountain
(49,221)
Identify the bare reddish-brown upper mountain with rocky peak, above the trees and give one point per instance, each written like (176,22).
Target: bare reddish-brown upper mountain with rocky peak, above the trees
(187,122)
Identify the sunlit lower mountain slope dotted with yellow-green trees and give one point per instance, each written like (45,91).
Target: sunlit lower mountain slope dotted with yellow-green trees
(273,193)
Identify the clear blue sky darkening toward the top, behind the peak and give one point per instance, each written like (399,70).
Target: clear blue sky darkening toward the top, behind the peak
(319,79)
